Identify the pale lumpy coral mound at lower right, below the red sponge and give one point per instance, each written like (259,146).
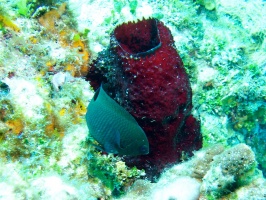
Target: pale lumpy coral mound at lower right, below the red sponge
(239,180)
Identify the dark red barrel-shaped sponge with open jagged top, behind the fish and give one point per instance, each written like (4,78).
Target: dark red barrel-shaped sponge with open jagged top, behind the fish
(148,79)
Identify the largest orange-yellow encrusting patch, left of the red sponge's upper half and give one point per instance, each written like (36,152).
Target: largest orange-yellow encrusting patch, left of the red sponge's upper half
(68,38)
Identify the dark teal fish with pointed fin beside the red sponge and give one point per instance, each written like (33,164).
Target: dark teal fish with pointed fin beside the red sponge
(114,128)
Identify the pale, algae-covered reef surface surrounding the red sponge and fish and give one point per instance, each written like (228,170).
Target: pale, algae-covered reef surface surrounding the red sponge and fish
(46,51)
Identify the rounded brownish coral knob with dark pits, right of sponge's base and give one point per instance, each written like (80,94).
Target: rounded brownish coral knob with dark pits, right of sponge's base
(229,170)
